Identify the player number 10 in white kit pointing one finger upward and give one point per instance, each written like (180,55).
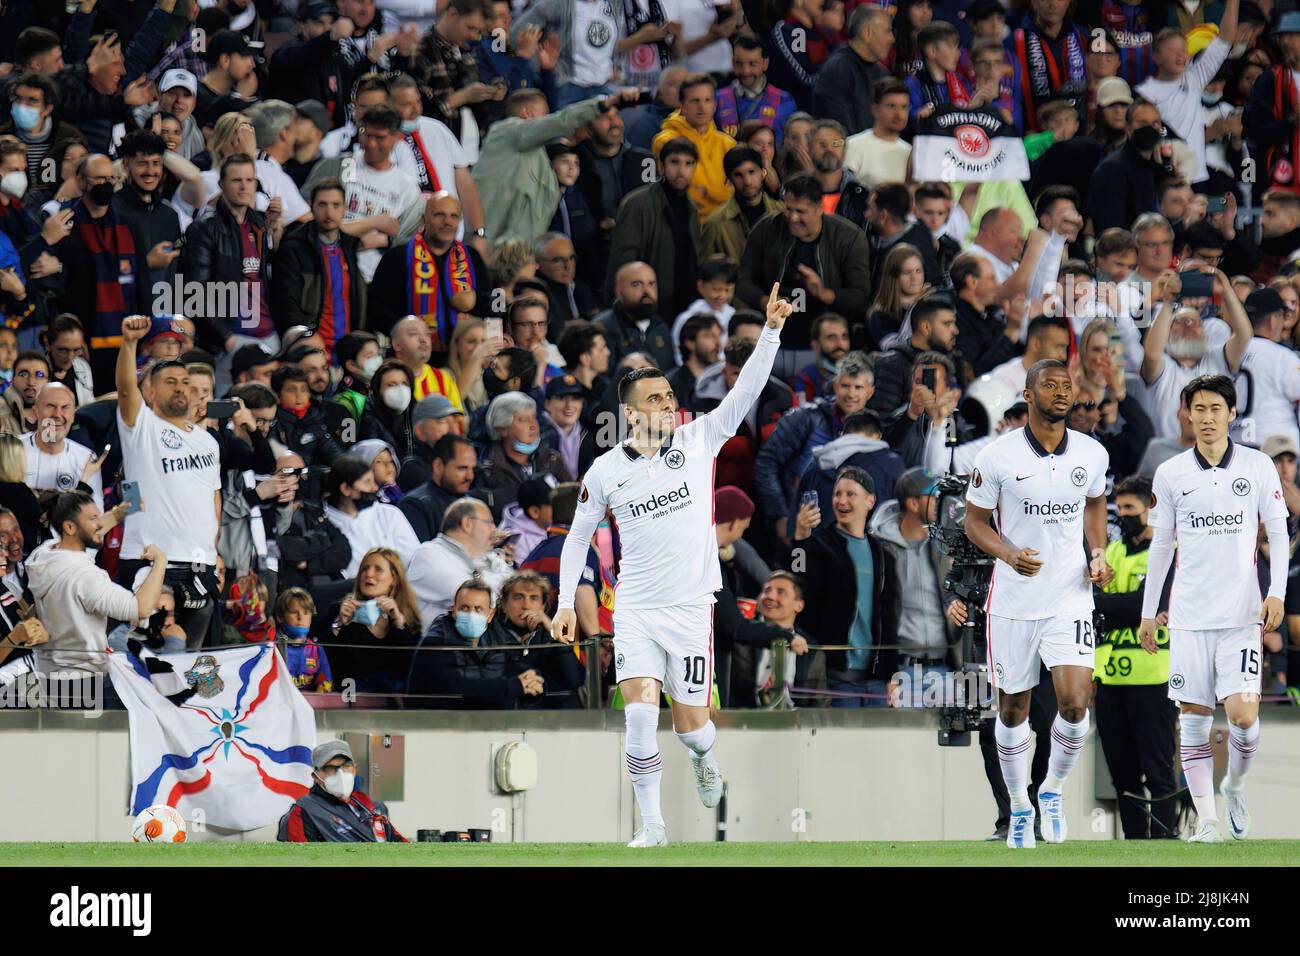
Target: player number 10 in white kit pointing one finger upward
(660,486)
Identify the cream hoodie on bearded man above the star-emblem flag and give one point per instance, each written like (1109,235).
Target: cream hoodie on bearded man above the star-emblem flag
(75,602)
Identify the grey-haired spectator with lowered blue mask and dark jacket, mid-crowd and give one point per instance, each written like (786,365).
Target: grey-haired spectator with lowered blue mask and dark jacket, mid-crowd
(517,452)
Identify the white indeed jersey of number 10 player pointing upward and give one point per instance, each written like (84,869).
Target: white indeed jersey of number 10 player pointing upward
(665,505)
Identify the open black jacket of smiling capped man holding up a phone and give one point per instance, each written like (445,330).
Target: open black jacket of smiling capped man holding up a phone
(831,600)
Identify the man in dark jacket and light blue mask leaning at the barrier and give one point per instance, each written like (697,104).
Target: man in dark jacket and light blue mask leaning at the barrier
(467,678)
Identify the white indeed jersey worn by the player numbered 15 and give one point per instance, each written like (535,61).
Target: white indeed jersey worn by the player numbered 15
(1216,513)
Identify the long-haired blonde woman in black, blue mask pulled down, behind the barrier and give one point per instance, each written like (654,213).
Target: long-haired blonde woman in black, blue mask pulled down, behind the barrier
(378,618)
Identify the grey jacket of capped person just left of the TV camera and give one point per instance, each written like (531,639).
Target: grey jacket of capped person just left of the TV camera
(922,626)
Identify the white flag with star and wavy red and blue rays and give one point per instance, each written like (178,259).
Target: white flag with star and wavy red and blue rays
(236,754)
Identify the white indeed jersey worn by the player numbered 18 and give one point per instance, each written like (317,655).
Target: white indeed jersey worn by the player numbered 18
(1038,500)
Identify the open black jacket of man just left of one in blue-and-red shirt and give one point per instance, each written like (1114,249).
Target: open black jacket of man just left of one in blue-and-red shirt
(214,254)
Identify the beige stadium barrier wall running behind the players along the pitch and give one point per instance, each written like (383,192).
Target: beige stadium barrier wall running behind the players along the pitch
(814,775)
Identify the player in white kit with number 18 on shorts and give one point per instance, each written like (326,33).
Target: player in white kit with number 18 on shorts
(1047,486)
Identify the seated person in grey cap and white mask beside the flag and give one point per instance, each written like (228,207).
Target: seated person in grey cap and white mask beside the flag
(333,811)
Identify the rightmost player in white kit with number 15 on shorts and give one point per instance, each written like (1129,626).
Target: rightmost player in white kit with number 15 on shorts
(1212,501)
